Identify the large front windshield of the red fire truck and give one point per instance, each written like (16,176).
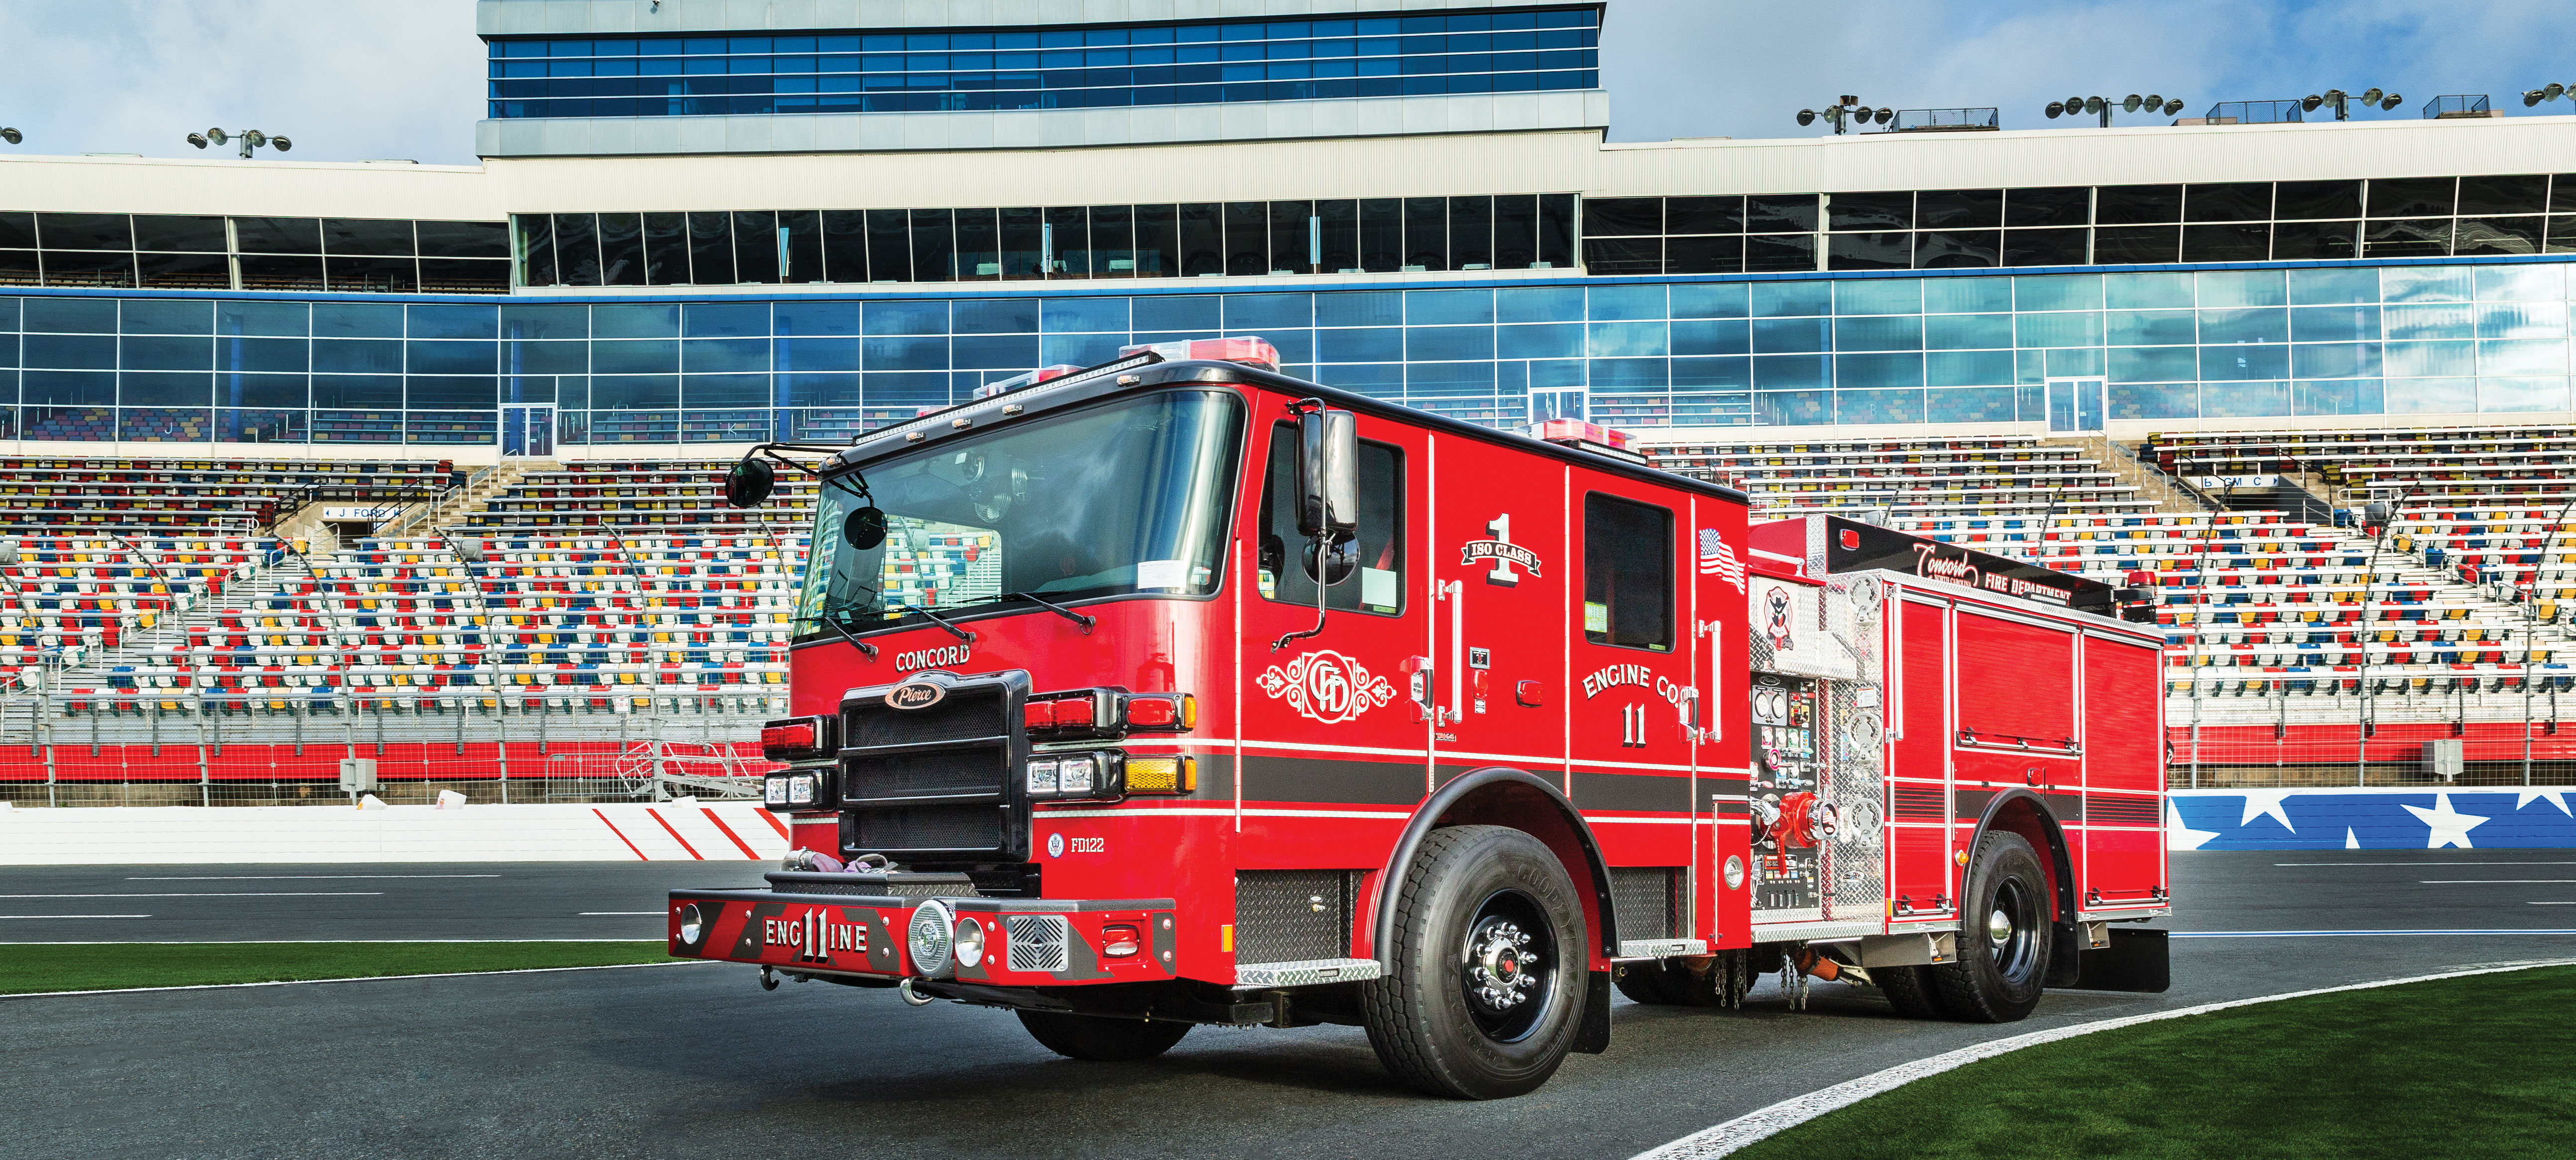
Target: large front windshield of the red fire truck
(1109,501)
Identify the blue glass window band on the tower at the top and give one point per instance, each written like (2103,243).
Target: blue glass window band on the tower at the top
(1047,68)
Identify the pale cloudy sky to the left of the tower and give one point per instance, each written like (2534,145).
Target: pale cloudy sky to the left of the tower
(344,79)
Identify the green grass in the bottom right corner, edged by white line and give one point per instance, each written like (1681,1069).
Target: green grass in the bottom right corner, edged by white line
(2472,1068)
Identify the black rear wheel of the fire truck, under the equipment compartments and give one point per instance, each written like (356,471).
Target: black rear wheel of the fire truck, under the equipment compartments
(2003,937)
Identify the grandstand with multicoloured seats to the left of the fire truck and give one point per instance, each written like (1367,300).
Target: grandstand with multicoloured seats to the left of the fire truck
(197,630)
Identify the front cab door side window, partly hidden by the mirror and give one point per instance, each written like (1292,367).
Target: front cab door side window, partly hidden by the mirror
(1282,571)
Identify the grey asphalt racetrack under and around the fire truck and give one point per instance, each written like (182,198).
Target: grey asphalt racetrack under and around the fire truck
(699,1061)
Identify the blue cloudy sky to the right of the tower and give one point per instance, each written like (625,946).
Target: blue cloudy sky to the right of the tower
(1696,68)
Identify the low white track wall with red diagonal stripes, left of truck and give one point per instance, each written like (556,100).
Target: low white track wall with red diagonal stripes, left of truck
(627,831)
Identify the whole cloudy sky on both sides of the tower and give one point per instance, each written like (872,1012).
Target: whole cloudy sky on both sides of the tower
(403,79)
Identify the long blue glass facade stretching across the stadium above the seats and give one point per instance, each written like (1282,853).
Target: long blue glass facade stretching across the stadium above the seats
(2358,339)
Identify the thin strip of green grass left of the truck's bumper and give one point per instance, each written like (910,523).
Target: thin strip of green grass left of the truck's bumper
(35,968)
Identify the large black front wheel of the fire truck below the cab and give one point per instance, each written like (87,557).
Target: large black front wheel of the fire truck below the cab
(1488,986)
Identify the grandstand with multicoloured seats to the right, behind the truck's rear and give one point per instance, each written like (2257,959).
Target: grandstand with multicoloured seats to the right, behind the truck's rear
(2289,638)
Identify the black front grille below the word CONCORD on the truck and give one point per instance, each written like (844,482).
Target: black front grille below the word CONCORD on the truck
(936,785)
